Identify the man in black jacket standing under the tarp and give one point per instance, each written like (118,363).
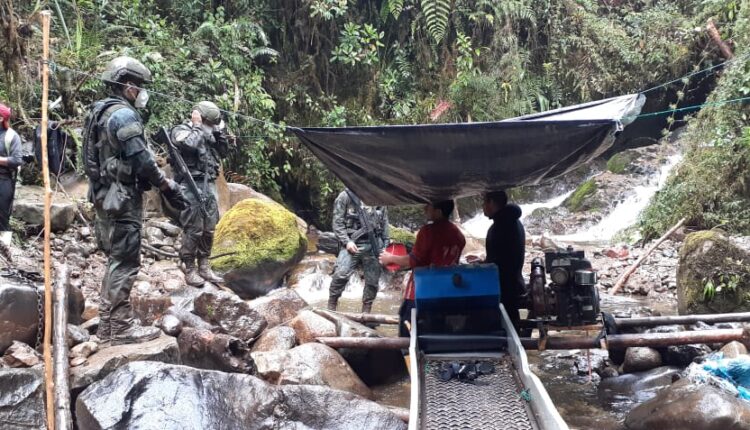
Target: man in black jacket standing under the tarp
(506,247)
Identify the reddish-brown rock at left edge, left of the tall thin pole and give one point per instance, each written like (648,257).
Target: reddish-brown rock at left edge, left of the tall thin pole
(18,314)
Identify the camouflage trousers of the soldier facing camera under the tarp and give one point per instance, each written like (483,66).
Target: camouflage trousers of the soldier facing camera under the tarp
(346,263)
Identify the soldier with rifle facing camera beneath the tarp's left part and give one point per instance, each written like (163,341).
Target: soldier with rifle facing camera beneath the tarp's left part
(357,248)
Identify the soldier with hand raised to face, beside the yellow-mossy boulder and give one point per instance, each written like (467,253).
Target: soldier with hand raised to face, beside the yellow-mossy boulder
(202,144)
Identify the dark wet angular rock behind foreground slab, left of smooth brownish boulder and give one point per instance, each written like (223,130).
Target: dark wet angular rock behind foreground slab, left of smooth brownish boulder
(214,351)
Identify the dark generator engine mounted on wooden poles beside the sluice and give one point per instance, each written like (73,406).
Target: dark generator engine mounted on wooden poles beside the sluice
(570,298)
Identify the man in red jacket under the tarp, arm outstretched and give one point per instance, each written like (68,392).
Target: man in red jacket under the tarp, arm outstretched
(439,243)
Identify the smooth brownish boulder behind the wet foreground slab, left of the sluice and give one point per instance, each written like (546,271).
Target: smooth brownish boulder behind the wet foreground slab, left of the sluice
(310,364)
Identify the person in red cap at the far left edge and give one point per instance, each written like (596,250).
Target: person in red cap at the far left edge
(10,161)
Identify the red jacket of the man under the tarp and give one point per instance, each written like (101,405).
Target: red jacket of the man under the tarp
(438,244)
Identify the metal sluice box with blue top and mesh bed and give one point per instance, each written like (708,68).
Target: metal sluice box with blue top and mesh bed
(458,318)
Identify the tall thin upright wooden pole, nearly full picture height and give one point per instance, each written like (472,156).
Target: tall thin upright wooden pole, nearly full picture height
(49,384)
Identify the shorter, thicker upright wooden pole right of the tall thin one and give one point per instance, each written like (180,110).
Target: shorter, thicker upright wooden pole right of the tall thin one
(63,416)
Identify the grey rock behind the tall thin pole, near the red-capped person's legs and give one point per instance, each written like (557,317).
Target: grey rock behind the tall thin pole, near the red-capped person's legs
(28,206)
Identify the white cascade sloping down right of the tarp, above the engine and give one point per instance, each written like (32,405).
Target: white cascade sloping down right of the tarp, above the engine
(626,213)
